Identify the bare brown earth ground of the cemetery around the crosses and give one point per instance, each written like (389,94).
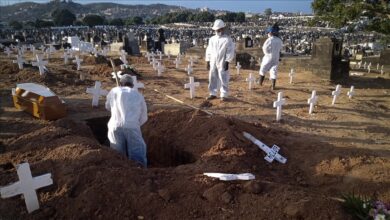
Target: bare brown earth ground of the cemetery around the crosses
(339,149)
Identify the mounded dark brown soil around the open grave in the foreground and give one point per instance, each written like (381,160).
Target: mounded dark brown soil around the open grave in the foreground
(93,181)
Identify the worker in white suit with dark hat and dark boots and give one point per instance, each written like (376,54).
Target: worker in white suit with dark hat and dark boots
(271,49)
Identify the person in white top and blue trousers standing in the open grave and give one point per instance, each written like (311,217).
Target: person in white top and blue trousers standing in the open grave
(128,114)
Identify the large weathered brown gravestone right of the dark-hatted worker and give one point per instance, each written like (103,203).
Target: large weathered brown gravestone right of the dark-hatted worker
(326,59)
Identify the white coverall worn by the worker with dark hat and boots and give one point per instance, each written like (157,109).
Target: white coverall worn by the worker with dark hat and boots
(271,48)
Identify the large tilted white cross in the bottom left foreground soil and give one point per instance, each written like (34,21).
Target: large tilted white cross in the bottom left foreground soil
(26,186)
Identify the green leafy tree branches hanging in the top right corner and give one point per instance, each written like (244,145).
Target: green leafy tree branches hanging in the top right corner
(371,15)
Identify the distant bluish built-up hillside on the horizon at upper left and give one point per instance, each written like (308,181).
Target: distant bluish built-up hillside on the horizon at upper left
(31,11)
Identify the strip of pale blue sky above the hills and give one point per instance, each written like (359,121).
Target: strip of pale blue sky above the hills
(230,5)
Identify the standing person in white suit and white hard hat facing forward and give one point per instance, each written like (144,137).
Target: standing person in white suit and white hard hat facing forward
(219,53)
